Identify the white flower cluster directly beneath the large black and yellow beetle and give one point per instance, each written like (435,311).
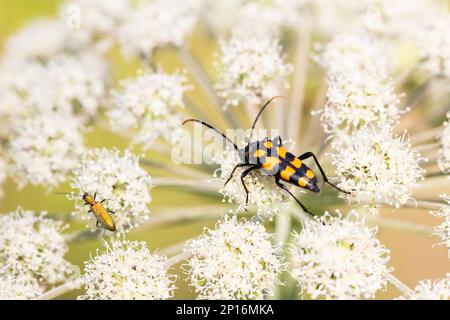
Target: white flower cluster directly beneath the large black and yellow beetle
(268,198)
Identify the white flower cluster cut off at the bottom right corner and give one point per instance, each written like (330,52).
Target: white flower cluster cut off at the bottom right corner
(428,290)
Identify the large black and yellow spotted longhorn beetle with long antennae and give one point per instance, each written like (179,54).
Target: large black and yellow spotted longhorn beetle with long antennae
(273,159)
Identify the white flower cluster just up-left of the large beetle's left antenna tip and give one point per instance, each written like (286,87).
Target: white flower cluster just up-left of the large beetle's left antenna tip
(151,103)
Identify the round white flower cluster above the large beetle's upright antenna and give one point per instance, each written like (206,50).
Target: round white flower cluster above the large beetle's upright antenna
(251,69)
